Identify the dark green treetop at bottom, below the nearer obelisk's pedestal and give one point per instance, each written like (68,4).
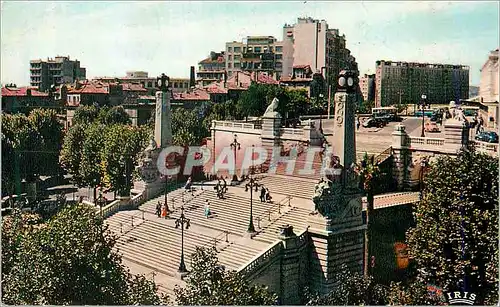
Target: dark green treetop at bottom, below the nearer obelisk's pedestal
(352,289)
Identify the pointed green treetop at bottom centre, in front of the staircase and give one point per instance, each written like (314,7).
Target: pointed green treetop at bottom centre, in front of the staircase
(210,284)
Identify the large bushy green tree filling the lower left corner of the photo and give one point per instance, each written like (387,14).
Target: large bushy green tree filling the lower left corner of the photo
(67,261)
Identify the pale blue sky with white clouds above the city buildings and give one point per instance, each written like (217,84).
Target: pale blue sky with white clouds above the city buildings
(110,38)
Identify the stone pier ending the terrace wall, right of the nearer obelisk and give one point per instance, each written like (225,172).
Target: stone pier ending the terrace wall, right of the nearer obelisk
(402,156)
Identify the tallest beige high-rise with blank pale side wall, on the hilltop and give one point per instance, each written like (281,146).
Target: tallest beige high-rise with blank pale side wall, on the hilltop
(311,42)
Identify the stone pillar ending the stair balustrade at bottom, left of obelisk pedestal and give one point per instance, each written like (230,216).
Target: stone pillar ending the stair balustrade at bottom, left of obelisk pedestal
(290,265)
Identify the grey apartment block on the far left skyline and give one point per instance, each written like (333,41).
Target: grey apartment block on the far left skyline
(56,71)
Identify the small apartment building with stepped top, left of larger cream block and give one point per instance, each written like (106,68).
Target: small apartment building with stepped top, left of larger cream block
(211,69)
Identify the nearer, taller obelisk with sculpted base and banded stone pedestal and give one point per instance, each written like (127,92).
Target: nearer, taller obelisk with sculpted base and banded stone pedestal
(336,228)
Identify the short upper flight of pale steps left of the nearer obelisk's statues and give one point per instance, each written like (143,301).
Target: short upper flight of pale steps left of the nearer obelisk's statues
(295,187)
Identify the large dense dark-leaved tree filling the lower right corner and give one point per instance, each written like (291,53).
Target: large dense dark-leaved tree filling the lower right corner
(455,240)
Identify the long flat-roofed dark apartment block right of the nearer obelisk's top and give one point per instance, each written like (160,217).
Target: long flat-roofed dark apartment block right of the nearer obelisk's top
(406,83)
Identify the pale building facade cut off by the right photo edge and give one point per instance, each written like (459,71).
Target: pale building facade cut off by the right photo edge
(488,86)
